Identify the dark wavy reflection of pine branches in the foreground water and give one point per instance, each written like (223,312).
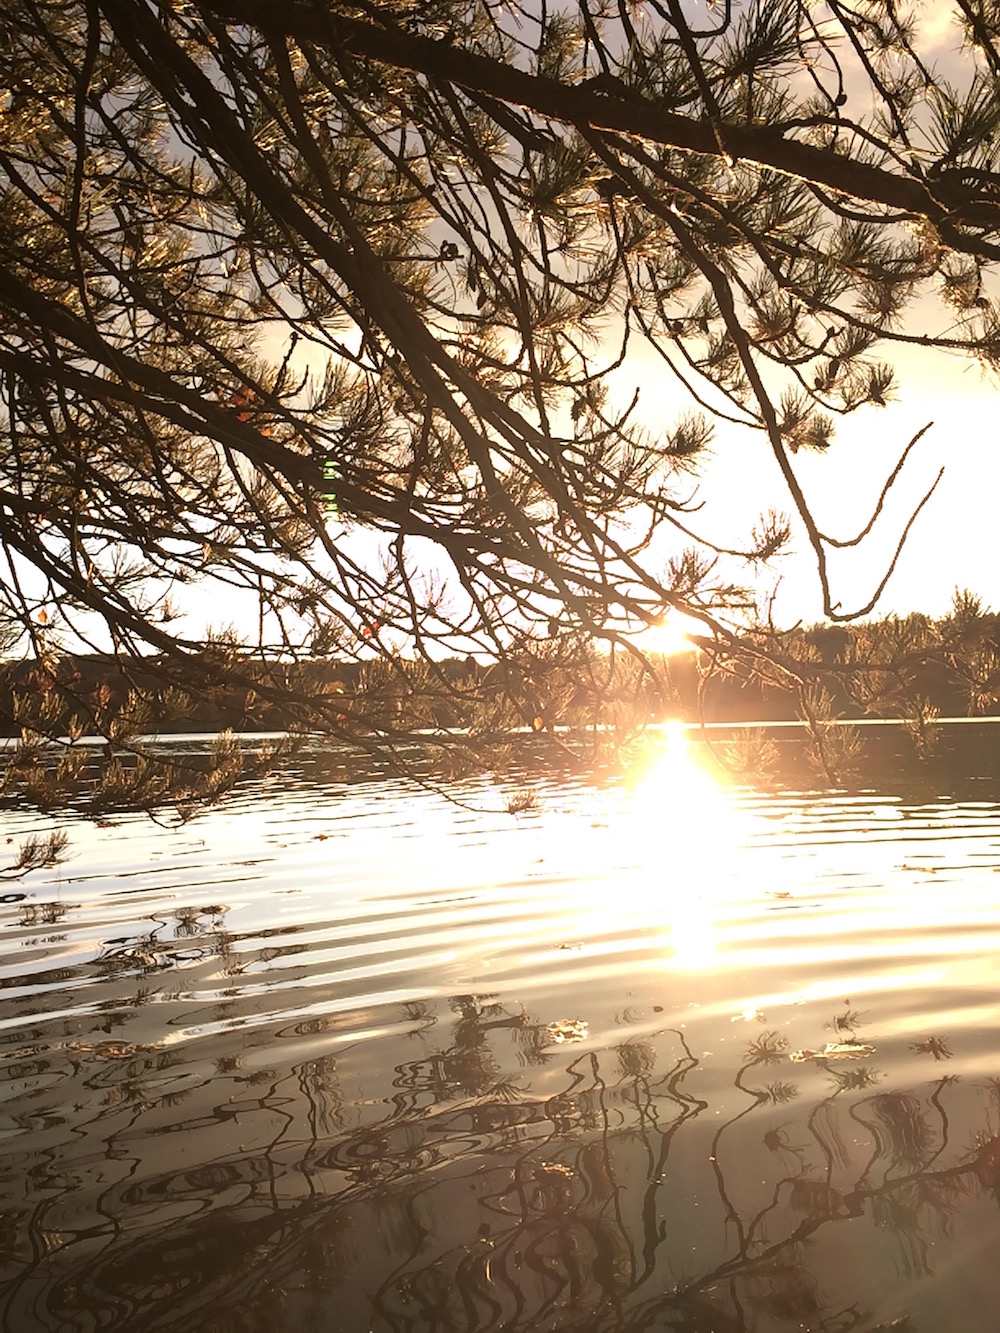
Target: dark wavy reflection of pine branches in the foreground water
(503,1182)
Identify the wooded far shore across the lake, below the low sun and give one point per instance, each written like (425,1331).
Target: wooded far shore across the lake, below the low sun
(911,668)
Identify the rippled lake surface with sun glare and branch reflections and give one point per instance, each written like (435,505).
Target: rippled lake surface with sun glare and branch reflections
(662,1054)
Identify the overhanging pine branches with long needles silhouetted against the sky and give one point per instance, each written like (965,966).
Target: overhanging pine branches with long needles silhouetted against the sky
(339,305)
